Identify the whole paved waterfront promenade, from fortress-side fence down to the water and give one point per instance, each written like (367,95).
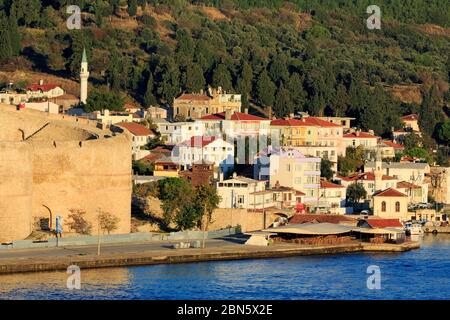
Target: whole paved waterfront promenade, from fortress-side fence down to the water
(160,252)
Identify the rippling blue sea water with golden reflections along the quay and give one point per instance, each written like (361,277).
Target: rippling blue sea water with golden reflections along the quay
(417,274)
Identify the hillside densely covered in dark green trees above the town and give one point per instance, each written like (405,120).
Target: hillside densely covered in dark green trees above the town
(316,56)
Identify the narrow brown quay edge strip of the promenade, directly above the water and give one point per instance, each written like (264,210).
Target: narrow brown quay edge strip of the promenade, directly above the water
(169,256)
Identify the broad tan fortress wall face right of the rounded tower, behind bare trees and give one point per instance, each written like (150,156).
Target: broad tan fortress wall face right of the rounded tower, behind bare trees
(84,175)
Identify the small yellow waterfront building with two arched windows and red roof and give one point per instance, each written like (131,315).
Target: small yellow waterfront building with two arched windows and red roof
(390,203)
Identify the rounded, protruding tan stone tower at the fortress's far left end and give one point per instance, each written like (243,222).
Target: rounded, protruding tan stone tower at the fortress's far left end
(16,186)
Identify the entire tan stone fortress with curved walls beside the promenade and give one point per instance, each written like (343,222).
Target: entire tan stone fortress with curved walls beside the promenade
(64,163)
